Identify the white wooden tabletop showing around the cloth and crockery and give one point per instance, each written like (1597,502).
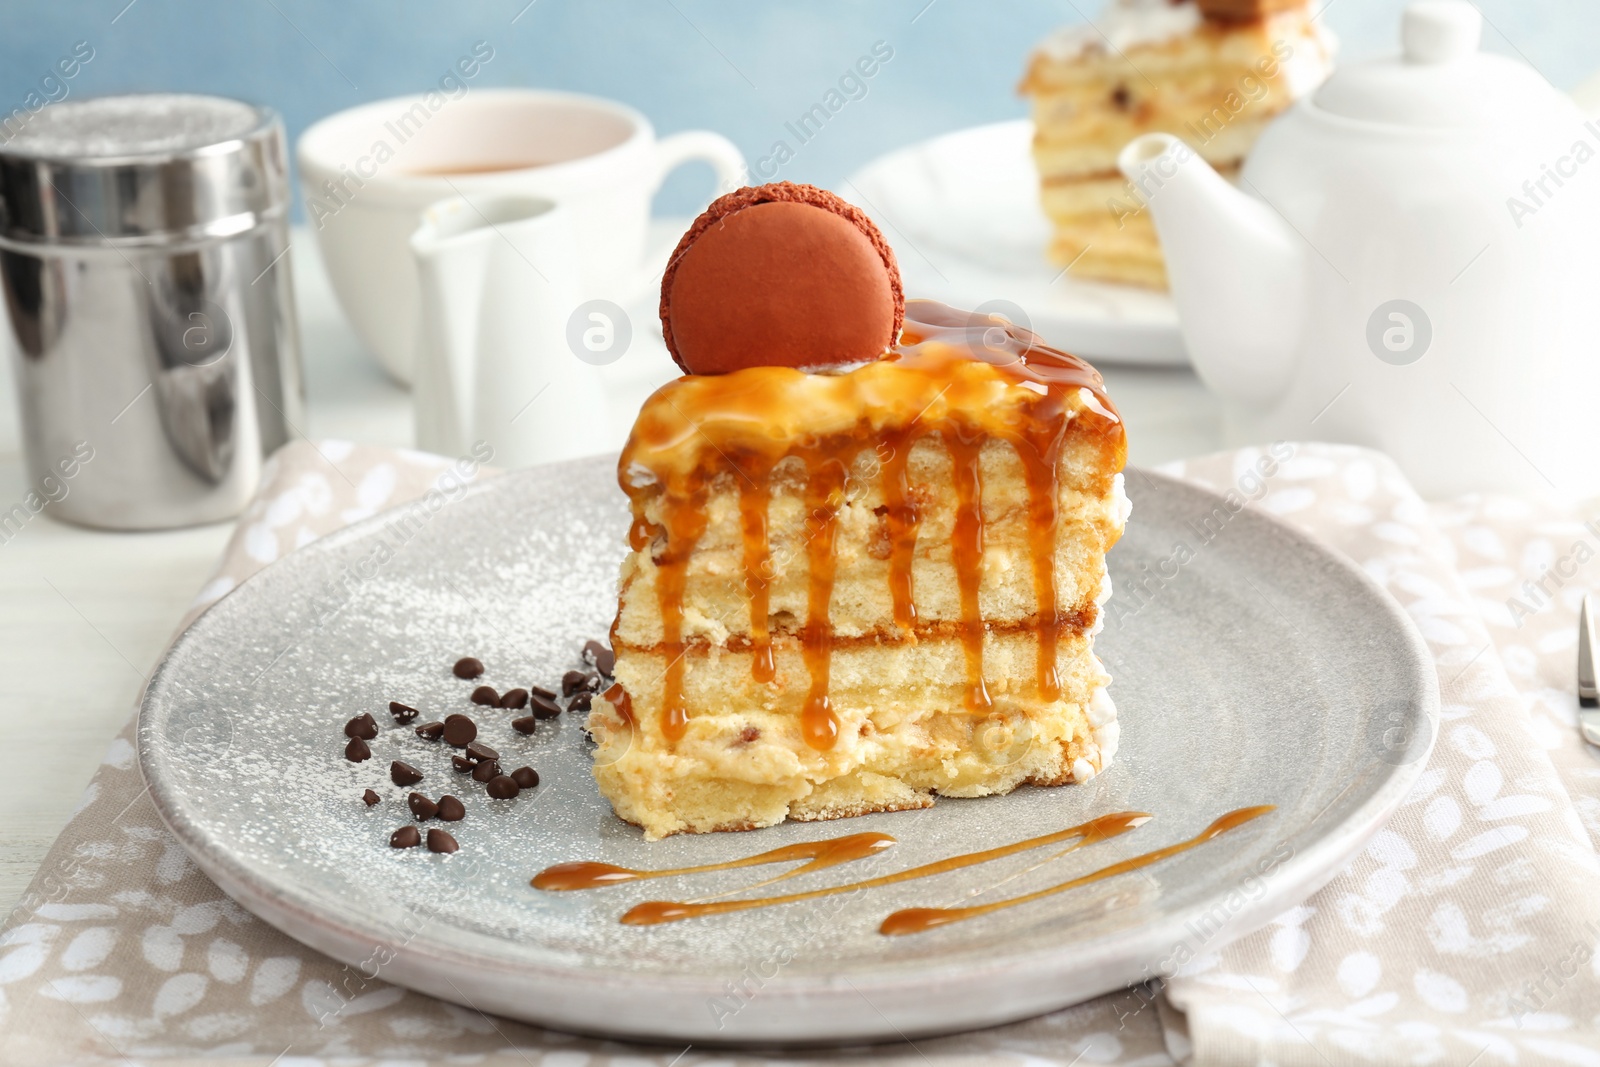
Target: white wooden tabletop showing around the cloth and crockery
(86,615)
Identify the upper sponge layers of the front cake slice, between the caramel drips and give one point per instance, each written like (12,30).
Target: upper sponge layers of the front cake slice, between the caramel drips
(718,586)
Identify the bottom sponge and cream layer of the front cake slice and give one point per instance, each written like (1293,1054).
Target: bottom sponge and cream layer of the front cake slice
(905,733)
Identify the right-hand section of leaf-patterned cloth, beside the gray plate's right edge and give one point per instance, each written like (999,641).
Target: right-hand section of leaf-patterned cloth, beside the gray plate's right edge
(1466,932)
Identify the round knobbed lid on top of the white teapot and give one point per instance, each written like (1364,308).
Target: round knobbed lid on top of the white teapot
(1441,79)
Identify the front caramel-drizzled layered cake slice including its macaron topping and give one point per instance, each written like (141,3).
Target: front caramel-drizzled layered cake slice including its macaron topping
(870,541)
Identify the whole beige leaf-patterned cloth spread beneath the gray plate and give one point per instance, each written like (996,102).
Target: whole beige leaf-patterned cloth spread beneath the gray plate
(1466,933)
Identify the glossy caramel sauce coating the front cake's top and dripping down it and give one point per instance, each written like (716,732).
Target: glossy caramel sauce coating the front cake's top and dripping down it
(959,377)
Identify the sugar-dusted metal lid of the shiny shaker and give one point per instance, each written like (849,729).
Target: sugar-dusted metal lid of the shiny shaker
(150,169)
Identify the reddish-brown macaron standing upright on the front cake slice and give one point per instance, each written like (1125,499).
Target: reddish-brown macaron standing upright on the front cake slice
(780,276)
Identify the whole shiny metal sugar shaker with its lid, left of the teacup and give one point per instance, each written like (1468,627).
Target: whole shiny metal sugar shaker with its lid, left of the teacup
(150,305)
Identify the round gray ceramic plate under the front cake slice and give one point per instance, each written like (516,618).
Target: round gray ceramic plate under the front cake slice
(1265,671)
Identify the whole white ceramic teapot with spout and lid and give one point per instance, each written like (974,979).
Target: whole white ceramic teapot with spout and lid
(1410,262)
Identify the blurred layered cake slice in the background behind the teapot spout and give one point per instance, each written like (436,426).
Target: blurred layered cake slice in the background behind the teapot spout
(1214,73)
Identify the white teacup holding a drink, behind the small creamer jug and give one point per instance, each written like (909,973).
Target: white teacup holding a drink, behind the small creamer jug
(369,174)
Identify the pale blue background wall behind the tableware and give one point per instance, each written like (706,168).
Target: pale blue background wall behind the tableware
(737,66)
